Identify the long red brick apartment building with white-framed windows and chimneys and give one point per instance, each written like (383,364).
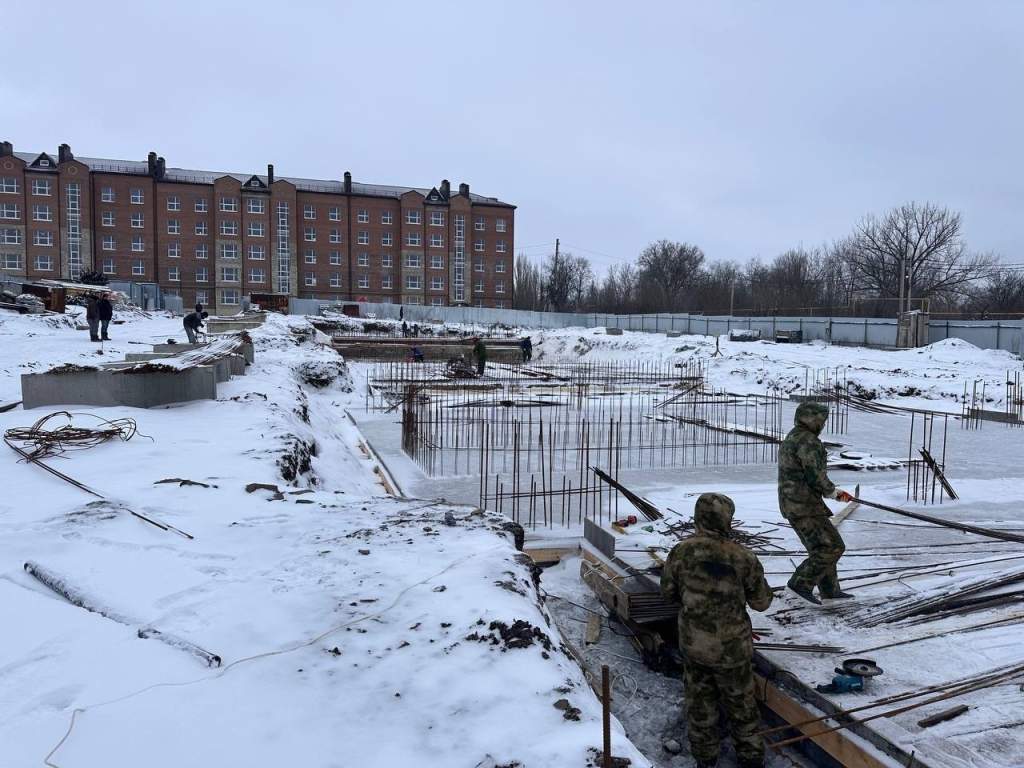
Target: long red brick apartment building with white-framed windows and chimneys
(216,237)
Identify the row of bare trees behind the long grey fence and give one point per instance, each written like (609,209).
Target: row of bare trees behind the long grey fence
(912,254)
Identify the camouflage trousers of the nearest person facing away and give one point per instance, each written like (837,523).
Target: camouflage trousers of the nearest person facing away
(731,689)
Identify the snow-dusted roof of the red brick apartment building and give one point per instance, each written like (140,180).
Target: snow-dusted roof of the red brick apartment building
(142,168)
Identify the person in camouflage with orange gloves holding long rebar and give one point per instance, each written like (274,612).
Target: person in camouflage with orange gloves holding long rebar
(803,483)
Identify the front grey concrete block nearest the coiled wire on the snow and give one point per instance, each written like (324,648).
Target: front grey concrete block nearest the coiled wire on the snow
(111,387)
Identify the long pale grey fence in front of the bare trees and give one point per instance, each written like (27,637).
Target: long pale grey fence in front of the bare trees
(874,332)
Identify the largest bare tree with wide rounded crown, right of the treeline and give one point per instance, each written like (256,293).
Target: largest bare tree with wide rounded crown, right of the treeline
(915,250)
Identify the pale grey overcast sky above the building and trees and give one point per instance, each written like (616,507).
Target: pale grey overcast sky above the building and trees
(747,129)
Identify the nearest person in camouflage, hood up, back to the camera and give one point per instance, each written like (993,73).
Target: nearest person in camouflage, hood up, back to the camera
(714,579)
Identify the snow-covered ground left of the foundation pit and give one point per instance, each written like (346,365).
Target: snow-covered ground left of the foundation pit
(356,629)
